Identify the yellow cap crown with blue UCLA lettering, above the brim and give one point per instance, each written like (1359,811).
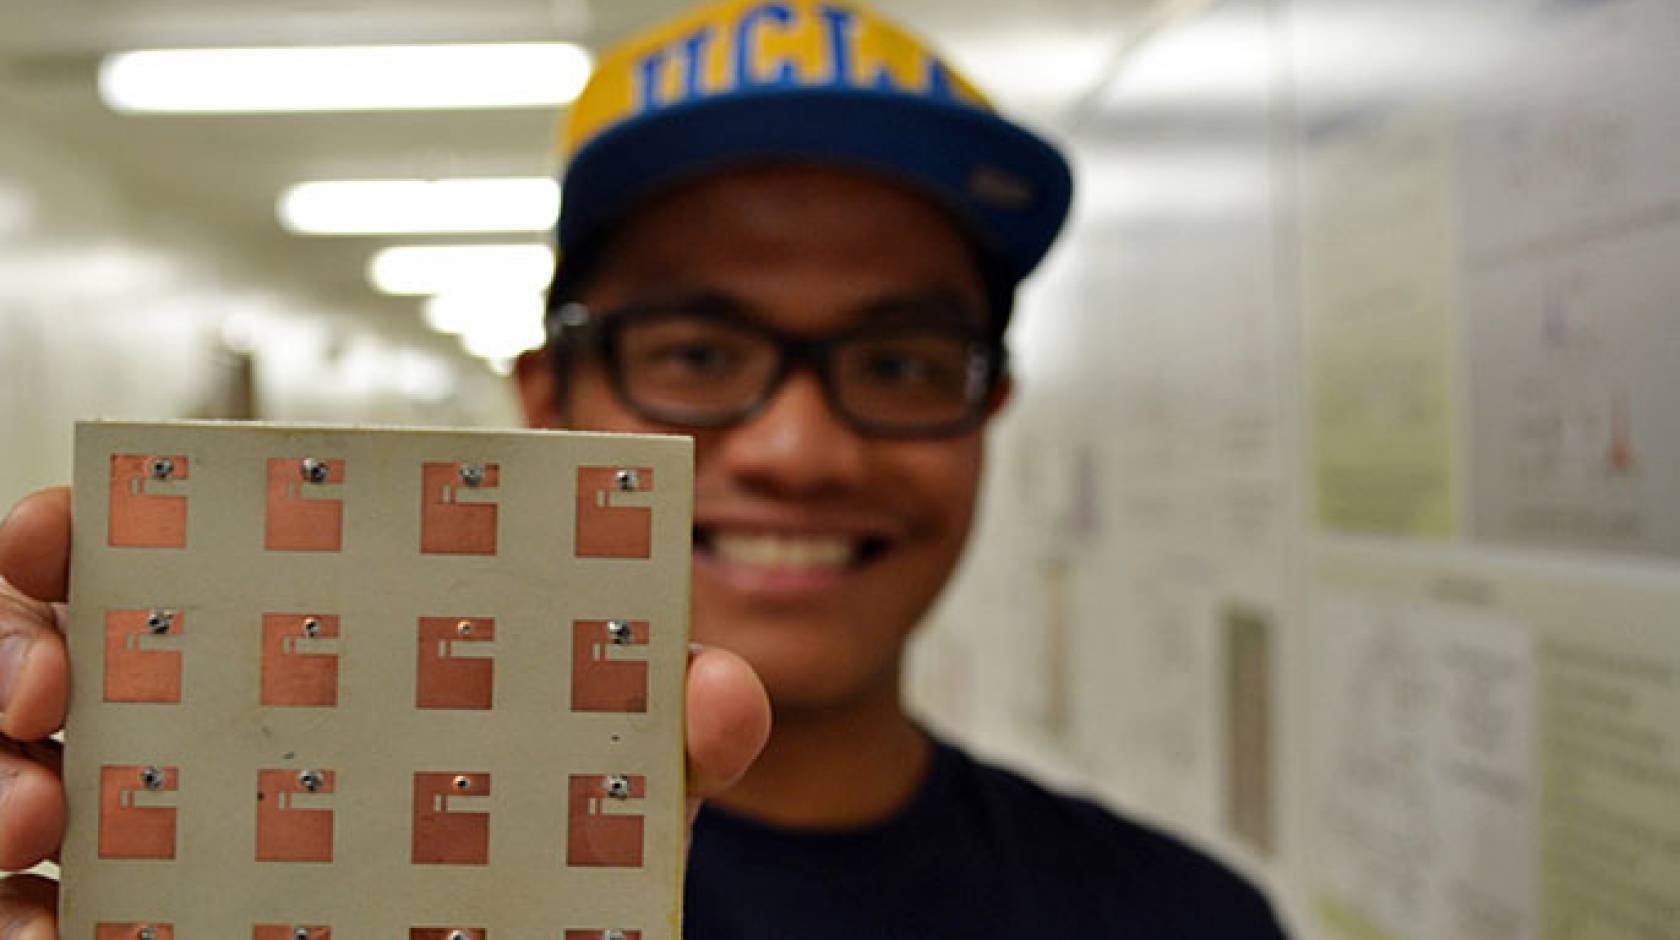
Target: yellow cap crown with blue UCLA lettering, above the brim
(742,46)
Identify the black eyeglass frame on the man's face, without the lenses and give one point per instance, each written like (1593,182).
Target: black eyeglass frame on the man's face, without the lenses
(577,328)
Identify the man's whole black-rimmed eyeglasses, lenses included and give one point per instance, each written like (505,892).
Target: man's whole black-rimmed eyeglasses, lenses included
(703,367)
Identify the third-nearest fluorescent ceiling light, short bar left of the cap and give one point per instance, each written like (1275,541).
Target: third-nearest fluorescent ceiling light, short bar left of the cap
(444,269)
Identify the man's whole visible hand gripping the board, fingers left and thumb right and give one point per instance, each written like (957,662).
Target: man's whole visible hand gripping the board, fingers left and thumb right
(728,711)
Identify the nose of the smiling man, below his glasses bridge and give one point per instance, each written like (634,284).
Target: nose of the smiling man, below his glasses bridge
(795,446)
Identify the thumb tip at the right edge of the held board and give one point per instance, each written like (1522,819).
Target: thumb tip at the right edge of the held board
(728,716)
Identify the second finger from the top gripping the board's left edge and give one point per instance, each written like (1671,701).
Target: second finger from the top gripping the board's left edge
(34,667)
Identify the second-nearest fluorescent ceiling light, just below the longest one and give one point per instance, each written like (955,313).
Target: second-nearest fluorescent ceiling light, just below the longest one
(397,207)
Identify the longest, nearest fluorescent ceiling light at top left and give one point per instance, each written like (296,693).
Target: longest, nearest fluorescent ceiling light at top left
(345,78)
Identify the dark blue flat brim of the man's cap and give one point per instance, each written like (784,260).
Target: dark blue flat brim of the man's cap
(1005,184)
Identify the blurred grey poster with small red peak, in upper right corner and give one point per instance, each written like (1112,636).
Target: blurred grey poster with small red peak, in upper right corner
(1573,229)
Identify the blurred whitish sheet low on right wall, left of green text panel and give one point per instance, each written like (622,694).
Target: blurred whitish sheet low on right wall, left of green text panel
(1424,798)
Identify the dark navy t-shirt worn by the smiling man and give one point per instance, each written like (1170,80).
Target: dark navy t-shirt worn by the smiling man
(980,854)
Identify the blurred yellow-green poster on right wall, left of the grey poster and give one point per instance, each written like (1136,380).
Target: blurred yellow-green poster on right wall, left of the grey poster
(1380,295)
